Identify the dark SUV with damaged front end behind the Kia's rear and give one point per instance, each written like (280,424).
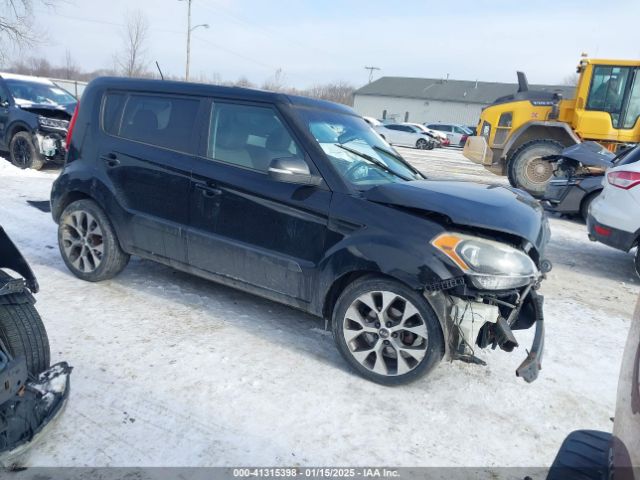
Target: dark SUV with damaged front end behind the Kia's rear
(34,118)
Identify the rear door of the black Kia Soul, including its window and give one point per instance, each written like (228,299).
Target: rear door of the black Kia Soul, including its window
(147,155)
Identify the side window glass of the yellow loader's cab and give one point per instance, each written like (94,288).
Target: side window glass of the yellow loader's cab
(607,90)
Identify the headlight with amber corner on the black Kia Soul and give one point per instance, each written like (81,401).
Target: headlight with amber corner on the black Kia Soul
(490,265)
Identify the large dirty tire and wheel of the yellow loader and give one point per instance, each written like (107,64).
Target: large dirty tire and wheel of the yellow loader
(527,169)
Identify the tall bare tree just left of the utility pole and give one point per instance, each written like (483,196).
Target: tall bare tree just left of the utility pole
(131,60)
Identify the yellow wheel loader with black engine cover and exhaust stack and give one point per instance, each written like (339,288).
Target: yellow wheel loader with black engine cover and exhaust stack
(518,132)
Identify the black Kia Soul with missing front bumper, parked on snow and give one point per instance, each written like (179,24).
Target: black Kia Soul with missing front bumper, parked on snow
(301,202)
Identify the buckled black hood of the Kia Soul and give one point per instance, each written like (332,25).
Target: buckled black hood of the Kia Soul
(490,207)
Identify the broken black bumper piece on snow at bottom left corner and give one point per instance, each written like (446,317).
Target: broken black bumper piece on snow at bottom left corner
(28,407)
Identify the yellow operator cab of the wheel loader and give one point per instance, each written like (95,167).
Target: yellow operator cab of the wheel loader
(607,105)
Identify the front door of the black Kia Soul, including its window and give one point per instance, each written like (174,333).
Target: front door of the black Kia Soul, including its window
(244,225)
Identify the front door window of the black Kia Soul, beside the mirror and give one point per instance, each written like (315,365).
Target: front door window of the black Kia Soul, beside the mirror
(249,136)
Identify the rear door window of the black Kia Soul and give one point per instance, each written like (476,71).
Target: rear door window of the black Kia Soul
(163,121)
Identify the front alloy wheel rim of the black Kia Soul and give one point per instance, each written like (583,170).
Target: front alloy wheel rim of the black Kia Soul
(385,333)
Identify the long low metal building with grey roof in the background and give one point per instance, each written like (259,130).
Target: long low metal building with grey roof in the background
(403,99)
